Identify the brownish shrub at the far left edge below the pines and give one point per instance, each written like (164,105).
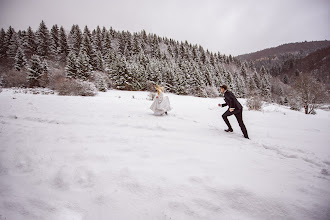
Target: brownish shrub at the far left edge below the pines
(14,78)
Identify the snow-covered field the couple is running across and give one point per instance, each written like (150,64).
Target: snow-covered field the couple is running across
(108,157)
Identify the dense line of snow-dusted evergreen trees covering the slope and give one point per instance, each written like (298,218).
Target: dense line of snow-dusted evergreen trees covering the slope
(132,61)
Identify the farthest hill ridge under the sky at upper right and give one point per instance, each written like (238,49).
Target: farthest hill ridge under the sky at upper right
(301,48)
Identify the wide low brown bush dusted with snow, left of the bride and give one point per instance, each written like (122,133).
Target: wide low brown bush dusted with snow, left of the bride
(76,88)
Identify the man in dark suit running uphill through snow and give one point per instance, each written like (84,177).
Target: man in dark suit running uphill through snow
(235,108)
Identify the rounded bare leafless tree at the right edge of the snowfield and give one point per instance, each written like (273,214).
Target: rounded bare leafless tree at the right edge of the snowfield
(309,92)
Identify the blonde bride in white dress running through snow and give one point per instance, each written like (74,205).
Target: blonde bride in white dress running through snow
(161,103)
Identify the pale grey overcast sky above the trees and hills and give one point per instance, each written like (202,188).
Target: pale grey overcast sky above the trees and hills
(226,26)
